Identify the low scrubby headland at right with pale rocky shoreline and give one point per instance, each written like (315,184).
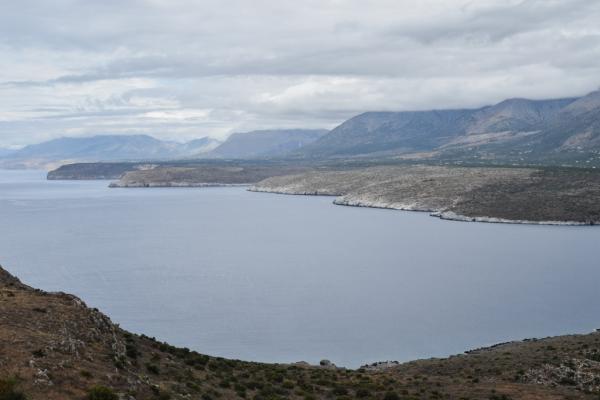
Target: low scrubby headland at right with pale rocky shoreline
(532,195)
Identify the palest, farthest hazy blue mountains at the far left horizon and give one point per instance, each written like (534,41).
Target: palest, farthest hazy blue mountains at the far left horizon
(104,148)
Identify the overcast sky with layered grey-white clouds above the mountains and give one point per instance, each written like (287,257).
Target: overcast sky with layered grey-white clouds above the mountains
(183,69)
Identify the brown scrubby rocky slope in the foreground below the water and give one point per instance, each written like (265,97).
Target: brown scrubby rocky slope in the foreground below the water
(53,347)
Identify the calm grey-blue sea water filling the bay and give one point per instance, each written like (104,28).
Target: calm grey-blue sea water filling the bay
(287,278)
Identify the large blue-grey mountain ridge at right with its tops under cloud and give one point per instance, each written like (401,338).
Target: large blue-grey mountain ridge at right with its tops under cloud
(512,129)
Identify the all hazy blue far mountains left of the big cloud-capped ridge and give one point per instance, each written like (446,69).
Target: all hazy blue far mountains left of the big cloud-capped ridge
(110,148)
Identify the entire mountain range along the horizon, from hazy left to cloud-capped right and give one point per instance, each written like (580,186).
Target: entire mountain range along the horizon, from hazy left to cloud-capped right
(512,131)
